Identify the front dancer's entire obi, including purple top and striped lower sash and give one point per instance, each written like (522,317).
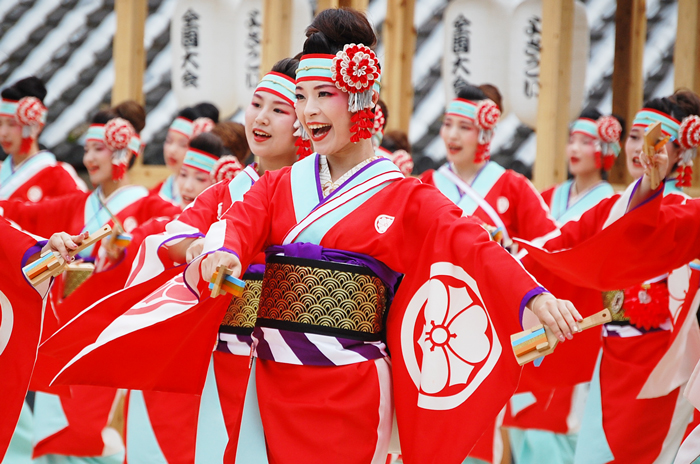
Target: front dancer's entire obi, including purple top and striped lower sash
(329,311)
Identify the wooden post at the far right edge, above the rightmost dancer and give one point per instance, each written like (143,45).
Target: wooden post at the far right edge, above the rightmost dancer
(686,56)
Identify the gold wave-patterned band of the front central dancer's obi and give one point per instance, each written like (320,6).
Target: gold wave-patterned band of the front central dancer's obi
(327,298)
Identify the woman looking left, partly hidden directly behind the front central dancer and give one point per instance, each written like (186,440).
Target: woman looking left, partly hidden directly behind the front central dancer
(172,427)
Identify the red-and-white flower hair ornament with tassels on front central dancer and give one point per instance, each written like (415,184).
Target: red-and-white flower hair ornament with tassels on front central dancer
(354,71)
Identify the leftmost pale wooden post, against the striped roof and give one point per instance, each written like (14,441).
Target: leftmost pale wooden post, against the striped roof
(128,50)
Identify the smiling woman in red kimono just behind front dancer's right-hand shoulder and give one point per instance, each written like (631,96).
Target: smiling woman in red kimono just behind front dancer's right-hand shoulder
(501,198)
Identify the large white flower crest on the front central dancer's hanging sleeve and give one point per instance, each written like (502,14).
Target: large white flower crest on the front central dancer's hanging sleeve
(448,340)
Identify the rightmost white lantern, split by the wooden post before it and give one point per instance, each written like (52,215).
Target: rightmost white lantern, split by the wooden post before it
(524,68)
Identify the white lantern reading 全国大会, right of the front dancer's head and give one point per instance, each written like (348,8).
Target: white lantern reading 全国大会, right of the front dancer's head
(476,46)
